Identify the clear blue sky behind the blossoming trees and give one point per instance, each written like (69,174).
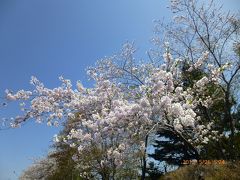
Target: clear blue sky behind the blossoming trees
(49,38)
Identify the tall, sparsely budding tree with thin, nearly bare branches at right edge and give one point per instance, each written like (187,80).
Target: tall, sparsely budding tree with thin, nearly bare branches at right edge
(199,27)
